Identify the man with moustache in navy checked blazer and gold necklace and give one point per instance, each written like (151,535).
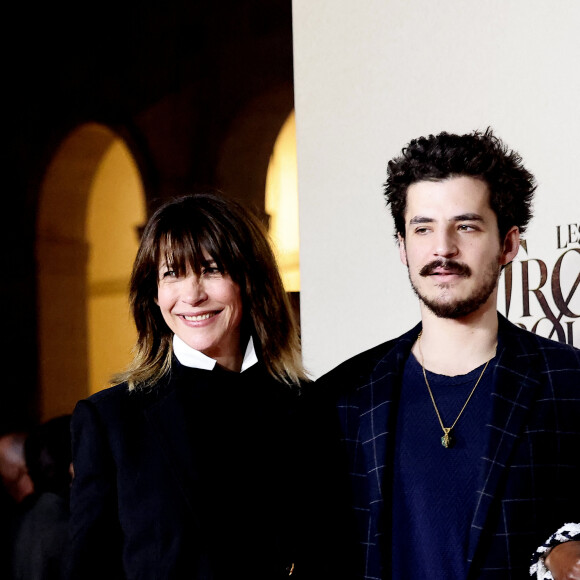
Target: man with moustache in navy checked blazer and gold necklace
(462,436)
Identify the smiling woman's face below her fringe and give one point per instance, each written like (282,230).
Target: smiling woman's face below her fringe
(205,311)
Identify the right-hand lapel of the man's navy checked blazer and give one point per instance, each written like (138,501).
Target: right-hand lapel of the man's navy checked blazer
(516,381)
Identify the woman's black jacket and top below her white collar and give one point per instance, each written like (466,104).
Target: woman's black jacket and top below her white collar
(191,479)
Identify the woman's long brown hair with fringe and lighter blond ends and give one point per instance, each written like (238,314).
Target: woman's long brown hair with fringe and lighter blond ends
(179,233)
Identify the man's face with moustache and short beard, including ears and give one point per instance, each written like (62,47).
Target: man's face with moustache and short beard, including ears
(452,247)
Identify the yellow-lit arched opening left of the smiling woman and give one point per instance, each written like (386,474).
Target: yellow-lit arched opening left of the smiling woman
(91,204)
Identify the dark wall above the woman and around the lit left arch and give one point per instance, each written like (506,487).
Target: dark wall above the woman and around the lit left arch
(198,91)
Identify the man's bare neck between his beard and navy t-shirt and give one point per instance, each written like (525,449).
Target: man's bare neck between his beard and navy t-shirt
(457,346)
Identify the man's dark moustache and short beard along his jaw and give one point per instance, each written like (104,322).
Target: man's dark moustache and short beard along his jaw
(461,307)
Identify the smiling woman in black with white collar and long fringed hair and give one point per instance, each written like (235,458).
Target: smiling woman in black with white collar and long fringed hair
(184,469)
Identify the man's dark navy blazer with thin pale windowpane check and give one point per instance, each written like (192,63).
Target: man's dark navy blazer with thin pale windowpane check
(528,476)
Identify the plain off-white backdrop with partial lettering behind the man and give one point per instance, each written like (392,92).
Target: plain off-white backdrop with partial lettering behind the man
(372,74)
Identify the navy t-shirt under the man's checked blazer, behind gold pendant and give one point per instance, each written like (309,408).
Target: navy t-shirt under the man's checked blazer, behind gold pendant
(434,488)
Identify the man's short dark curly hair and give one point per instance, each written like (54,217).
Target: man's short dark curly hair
(479,155)
